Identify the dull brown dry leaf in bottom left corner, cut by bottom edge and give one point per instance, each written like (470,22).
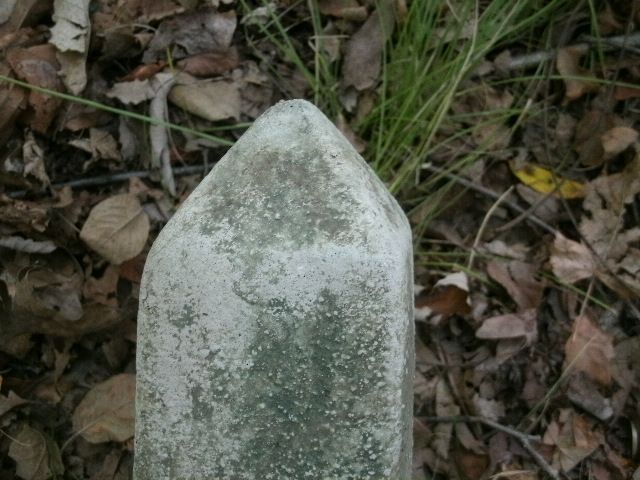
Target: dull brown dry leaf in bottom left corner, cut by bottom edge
(29,450)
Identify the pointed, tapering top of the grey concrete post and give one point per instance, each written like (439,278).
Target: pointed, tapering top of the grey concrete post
(294,165)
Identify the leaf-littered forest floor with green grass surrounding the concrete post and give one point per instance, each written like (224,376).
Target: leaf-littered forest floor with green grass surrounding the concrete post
(508,131)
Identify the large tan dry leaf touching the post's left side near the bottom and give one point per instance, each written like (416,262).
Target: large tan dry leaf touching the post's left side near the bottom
(107,412)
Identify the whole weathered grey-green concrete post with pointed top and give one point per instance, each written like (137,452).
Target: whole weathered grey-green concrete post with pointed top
(275,334)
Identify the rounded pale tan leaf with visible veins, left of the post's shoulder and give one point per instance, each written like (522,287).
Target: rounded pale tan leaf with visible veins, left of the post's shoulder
(117,228)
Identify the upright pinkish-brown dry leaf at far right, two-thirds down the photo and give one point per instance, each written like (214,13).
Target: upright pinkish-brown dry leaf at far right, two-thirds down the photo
(590,350)
